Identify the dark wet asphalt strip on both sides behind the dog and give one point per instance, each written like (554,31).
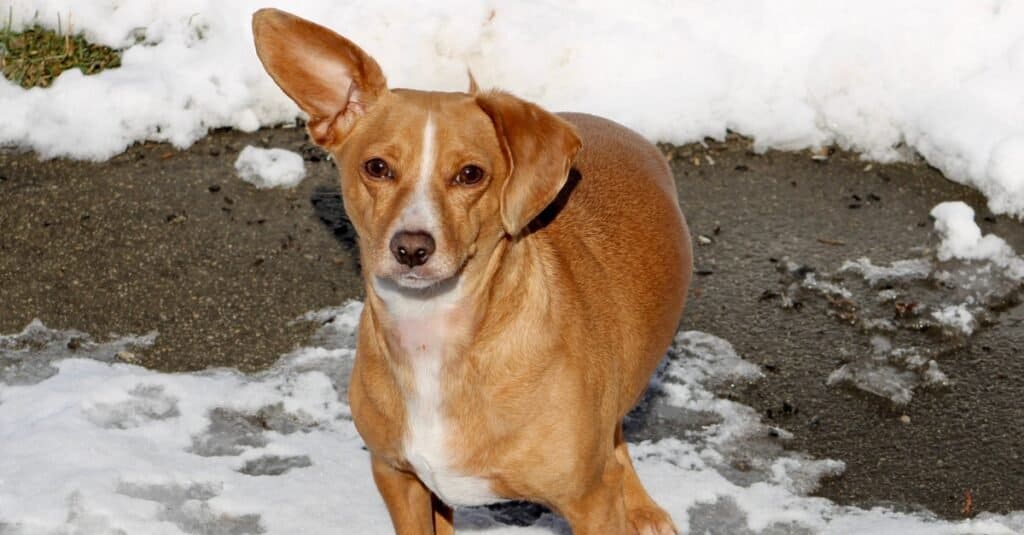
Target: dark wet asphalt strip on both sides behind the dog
(173,241)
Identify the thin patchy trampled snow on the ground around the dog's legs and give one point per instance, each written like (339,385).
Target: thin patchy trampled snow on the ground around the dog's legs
(105,447)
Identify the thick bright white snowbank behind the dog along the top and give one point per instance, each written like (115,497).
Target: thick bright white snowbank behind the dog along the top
(941,79)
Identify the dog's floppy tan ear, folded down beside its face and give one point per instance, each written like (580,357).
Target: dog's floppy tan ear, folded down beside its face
(540,149)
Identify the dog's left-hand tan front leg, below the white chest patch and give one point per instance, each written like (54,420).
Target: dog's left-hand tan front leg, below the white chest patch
(414,510)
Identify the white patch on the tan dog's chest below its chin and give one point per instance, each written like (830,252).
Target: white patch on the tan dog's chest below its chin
(424,333)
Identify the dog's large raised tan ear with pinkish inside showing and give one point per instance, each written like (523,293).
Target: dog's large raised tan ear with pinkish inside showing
(331,79)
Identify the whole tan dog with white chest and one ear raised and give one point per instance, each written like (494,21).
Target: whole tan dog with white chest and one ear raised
(525,274)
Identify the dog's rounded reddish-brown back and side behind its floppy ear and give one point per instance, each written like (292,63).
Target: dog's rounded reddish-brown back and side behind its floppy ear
(625,239)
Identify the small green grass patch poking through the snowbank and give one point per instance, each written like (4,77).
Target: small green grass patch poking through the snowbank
(35,57)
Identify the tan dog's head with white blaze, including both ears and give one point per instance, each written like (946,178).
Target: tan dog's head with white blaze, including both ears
(431,180)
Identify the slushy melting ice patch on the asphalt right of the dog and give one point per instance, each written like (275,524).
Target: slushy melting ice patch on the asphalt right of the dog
(917,311)
